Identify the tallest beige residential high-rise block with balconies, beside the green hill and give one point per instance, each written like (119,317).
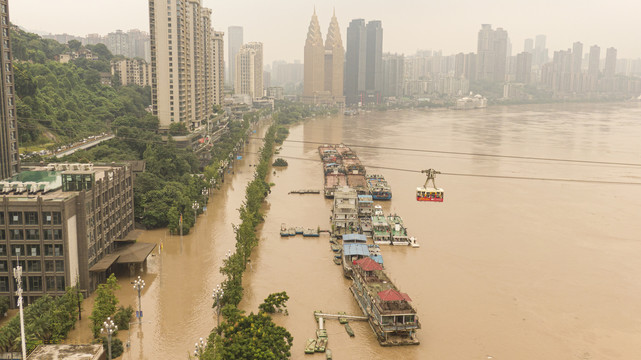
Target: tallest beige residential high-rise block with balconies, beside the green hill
(182,63)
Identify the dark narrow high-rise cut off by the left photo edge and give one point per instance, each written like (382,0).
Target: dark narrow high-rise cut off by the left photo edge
(9,160)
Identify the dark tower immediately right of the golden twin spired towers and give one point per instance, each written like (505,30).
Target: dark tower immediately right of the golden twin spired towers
(355,62)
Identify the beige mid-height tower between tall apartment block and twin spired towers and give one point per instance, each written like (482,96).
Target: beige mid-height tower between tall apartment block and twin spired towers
(249,70)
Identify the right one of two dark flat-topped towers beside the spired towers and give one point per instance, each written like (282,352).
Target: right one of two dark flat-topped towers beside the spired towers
(374,61)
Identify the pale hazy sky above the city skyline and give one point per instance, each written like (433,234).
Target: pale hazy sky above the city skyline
(408,25)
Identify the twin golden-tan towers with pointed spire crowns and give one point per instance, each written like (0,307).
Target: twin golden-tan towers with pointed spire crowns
(323,64)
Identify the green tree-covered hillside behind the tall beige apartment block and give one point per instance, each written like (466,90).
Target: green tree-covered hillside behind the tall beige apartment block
(59,103)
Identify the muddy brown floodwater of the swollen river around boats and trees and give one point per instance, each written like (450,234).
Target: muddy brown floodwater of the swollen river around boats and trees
(507,269)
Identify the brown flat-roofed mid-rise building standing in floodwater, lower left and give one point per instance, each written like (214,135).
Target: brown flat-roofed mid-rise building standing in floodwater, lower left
(61,223)
